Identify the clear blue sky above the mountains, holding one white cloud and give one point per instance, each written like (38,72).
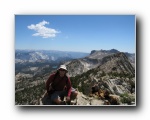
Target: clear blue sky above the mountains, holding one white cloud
(81,33)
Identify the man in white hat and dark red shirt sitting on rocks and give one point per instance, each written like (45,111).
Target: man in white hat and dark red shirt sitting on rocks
(58,86)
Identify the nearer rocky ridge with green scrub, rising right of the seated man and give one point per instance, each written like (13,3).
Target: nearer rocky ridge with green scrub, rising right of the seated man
(114,76)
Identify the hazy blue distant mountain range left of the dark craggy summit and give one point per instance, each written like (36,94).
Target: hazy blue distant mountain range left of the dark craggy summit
(49,55)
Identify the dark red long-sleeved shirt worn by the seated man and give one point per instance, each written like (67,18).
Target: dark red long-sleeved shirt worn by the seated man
(59,83)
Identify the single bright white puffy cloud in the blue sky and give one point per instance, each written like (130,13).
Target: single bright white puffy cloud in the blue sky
(43,31)
